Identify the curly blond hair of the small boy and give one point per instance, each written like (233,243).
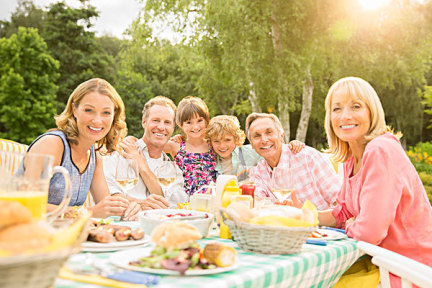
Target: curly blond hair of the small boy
(222,125)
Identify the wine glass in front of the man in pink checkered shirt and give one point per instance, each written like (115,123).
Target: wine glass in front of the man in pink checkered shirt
(282,184)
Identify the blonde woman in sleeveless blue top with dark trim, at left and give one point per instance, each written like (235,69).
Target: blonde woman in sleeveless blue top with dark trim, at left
(94,117)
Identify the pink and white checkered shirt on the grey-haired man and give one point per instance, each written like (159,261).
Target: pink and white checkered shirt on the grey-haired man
(315,179)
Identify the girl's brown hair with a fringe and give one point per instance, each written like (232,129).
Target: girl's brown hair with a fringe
(190,106)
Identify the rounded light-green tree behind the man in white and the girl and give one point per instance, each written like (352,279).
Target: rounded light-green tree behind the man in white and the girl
(159,68)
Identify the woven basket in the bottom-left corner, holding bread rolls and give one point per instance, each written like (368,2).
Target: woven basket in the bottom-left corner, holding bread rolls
(37,270)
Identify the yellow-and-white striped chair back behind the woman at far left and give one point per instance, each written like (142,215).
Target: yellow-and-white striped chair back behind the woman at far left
(11,162)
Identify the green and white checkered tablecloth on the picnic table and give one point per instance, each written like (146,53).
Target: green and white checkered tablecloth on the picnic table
(315,266)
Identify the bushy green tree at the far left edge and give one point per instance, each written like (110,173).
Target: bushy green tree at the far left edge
(27,90)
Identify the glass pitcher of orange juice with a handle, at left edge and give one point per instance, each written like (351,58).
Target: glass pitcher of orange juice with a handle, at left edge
(29,185)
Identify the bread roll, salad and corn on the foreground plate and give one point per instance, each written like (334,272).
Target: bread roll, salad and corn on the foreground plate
(176,249)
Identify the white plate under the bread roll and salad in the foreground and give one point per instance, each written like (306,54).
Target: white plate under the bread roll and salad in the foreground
(122,259)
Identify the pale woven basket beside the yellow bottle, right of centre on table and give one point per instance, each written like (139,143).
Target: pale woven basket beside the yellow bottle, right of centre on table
(267,239)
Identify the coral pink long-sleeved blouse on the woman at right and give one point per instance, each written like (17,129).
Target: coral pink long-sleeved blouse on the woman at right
(389,202)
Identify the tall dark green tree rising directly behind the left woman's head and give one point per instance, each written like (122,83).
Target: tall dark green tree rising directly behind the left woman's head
(79,53)
